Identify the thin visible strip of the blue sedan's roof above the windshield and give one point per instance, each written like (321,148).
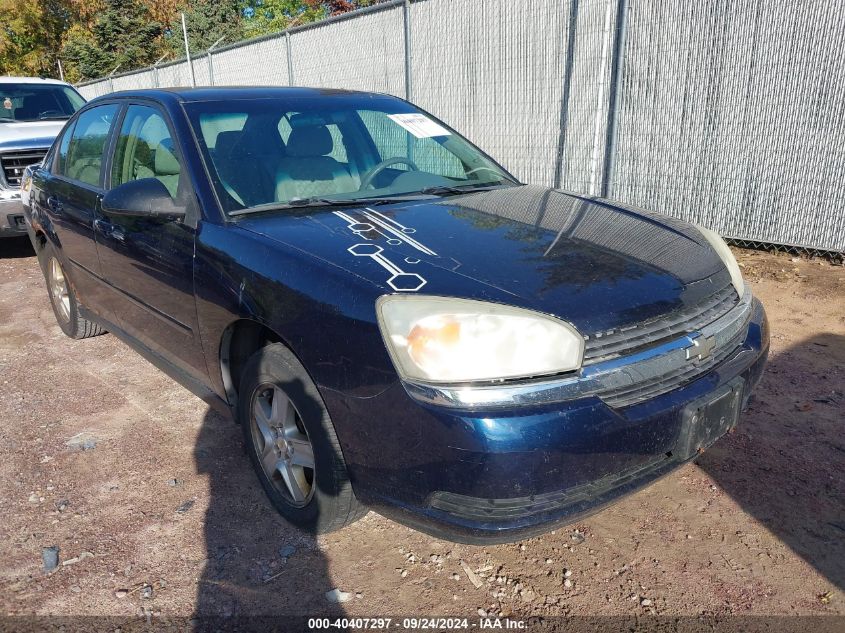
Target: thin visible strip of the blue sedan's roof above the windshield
(218,93)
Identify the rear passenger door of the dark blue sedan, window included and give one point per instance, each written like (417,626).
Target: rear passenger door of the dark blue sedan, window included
(72,200)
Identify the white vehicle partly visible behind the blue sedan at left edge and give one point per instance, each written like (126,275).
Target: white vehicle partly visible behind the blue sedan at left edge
(32,112)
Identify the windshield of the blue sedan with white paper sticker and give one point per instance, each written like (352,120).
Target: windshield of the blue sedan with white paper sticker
(332,149)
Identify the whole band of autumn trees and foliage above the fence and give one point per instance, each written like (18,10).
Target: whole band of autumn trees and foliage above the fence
(91,37)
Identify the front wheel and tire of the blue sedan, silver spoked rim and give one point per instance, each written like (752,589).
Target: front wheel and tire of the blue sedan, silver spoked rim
(292,445)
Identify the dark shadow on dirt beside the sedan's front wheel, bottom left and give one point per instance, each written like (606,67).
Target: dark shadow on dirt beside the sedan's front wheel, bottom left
(258,565)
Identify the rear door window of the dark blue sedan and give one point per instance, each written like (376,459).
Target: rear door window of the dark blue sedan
(84,154)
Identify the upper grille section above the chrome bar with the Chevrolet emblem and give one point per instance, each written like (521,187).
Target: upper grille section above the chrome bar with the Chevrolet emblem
(607,345)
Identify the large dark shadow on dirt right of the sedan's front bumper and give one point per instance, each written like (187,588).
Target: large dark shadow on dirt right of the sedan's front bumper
(785,463)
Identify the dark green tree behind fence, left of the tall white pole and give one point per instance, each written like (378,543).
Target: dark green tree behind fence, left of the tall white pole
(123,33)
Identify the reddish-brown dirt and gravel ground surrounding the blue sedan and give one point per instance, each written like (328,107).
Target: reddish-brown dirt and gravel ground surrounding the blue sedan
(156,511)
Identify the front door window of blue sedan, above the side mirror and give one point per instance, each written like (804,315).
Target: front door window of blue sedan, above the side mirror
(145,149)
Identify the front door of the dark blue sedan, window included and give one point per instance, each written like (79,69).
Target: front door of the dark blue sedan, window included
(148,262)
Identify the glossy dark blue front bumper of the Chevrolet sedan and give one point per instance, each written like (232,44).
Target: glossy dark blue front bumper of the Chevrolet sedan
(482,474)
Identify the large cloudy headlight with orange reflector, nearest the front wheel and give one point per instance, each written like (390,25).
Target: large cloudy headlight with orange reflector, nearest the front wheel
(441,339)
